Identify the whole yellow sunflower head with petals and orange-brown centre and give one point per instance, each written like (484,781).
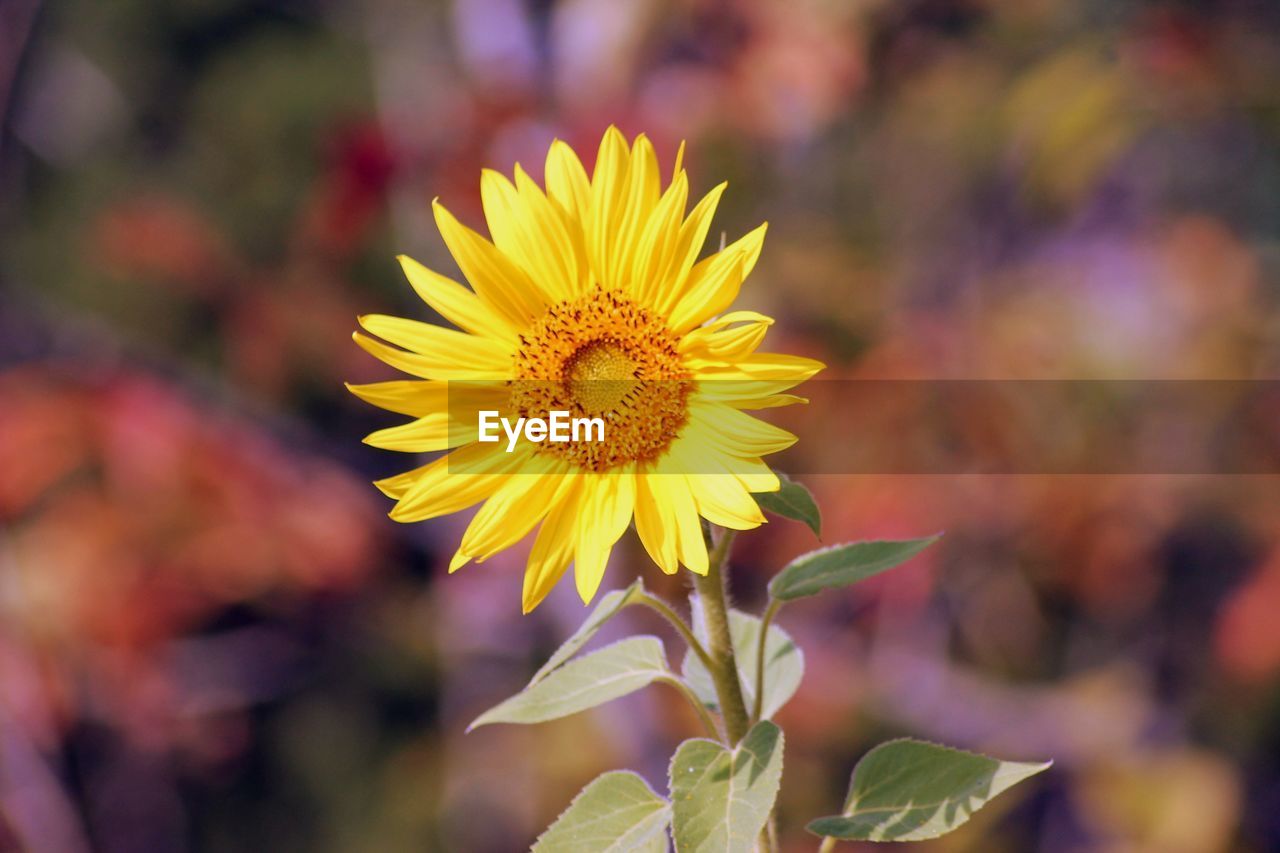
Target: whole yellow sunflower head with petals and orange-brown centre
(591,298)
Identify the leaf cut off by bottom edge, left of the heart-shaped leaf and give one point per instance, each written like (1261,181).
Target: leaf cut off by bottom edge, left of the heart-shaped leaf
(616,813)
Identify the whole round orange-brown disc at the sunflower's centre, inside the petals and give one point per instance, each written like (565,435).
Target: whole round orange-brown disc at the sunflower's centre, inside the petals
(605,357)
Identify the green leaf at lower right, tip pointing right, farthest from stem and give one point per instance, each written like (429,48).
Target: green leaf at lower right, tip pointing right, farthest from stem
(911,791)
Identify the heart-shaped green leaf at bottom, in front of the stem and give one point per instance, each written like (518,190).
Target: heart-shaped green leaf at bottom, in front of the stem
(721,799)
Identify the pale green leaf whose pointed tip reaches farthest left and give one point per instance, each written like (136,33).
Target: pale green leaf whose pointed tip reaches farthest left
(584,683)
